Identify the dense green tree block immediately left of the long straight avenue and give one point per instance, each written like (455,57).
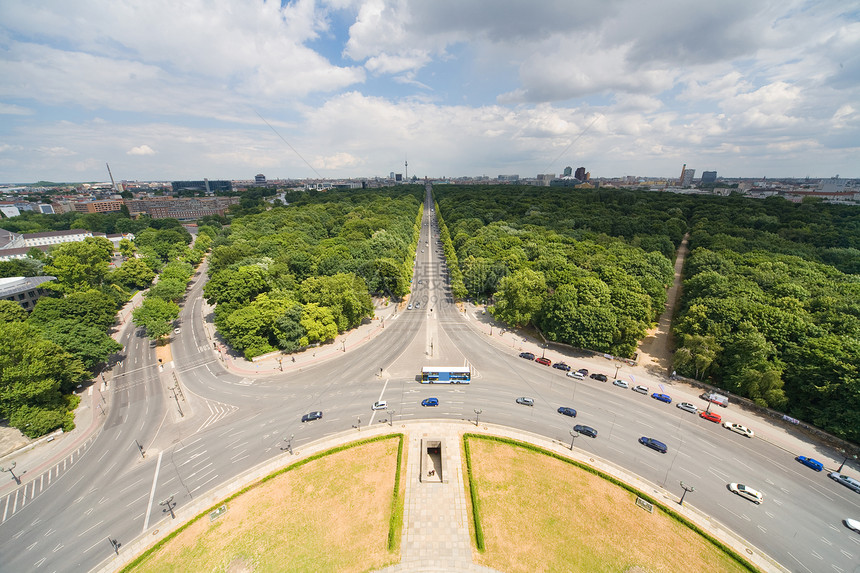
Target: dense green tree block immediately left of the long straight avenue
(290,277)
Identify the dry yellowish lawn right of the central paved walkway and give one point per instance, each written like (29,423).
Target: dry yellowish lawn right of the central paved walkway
(539,513)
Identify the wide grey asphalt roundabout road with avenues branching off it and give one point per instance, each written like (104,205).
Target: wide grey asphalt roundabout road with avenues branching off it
(231,422)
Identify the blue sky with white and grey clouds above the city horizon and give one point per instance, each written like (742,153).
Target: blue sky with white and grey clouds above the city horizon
(170,89)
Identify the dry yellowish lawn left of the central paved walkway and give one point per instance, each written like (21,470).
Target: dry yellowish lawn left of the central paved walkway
(331,514)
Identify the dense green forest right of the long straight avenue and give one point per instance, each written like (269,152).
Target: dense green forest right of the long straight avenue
(771,297)
